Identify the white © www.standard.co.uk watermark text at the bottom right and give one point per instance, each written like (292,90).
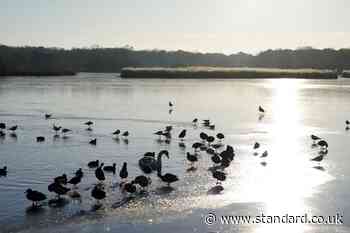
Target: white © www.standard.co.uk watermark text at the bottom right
(212,218)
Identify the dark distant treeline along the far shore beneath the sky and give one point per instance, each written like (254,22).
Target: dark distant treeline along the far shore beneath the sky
(40,60)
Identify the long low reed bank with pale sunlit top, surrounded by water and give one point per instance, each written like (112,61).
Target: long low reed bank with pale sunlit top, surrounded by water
(229,73)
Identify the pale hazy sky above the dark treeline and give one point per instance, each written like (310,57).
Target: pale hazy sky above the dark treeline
(224,26)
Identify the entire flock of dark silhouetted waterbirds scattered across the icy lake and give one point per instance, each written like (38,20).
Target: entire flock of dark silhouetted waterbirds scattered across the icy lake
(221,155)
